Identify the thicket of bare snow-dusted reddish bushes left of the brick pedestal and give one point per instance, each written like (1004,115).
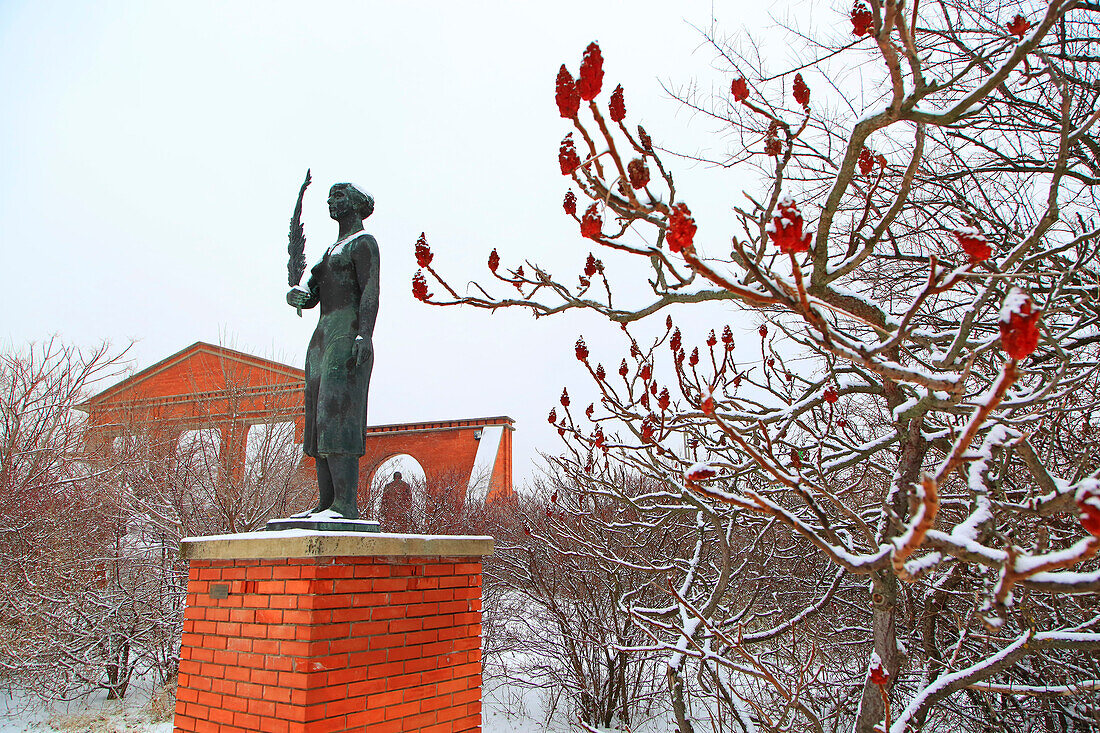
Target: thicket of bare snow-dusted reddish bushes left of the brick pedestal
(92,585)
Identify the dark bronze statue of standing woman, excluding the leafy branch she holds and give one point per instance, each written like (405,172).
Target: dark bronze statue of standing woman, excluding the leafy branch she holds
(342,355)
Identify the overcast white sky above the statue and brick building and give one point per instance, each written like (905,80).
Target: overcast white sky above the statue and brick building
(152,152)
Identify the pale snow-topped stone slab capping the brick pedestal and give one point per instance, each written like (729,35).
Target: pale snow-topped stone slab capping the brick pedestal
(303,543)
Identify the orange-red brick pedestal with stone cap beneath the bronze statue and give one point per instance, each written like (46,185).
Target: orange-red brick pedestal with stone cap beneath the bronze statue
(305,632)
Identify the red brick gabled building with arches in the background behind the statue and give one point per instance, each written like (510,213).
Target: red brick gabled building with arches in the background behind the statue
(208,387)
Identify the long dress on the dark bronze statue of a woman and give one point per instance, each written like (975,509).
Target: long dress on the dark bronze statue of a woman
(336,386)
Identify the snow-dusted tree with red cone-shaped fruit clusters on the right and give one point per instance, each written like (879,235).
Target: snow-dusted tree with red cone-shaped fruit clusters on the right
(897,512)
